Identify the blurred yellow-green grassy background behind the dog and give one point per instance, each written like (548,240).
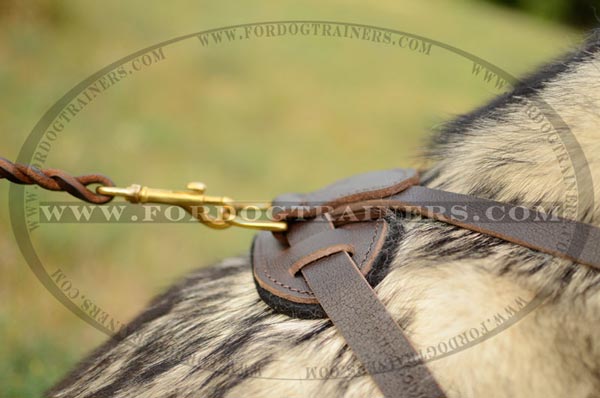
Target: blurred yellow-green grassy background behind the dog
(250,119)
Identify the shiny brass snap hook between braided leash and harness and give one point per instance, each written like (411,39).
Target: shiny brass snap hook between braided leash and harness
(194,201)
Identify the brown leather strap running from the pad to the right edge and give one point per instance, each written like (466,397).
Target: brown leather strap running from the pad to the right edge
(554,235)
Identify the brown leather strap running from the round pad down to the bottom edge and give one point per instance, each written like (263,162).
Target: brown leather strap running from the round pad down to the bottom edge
(363,320)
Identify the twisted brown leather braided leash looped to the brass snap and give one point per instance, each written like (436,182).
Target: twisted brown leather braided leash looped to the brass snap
(56,180)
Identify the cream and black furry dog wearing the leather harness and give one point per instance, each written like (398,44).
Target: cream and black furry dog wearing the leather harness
(491,318)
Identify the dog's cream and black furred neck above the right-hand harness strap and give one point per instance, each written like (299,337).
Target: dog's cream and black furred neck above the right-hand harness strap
(536,146)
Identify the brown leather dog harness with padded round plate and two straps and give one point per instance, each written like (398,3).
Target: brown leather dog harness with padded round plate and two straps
(337,248)
